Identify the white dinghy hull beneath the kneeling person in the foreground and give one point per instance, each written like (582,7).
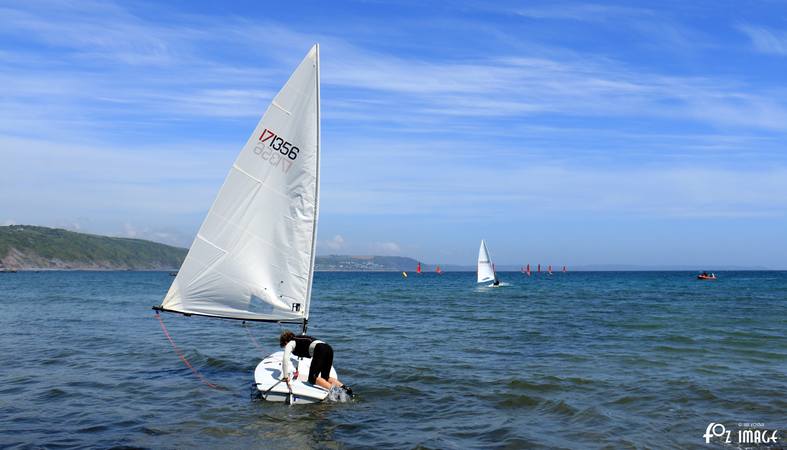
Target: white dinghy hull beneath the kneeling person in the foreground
(267,377)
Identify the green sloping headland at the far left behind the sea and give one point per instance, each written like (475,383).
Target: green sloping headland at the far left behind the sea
(32,247)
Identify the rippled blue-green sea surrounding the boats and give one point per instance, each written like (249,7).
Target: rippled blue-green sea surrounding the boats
(571,360)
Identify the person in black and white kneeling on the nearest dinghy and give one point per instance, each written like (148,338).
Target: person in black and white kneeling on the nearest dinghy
(321,355)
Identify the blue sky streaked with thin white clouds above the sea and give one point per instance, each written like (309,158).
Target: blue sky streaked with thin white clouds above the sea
(561,132)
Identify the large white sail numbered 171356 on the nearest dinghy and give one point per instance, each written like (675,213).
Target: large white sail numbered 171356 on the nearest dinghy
(253,257)
